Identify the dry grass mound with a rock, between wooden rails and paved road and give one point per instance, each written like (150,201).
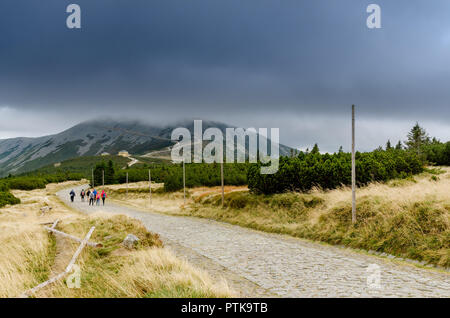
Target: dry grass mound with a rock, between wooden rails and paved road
(148,271)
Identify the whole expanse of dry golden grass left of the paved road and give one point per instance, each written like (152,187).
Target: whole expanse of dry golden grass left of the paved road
(29,255)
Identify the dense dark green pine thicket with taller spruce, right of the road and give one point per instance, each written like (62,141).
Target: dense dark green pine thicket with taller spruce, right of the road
(329,171)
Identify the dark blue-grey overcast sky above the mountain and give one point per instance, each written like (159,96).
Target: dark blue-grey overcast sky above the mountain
(293,64)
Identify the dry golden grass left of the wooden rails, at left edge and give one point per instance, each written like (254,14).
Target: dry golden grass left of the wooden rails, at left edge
(27,251)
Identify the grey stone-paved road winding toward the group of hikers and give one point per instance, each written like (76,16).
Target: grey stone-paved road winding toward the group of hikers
(285,266)
